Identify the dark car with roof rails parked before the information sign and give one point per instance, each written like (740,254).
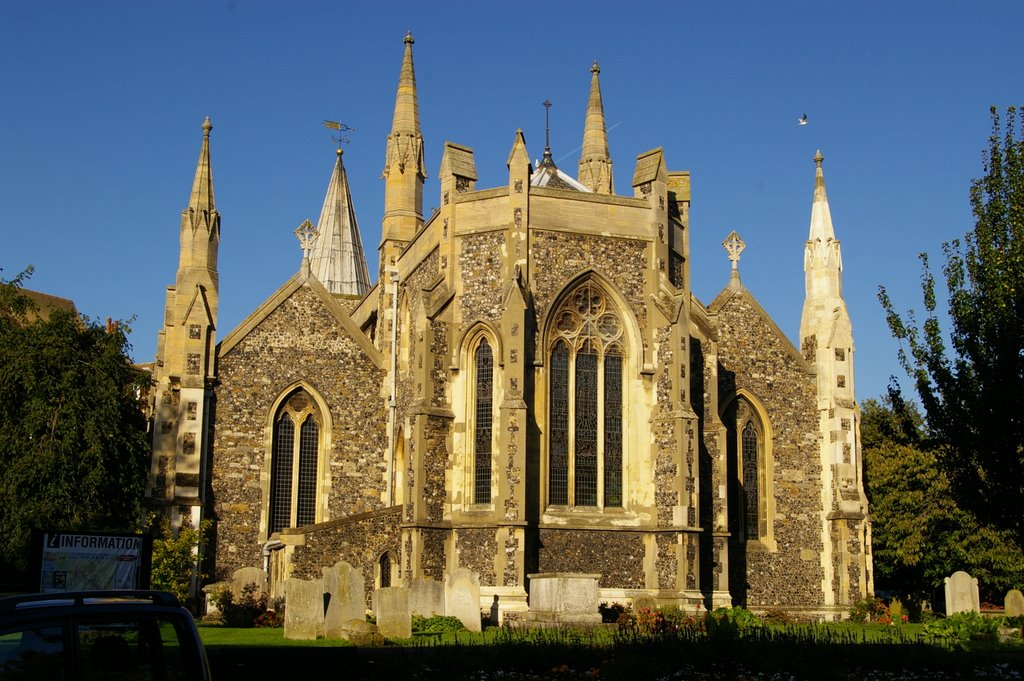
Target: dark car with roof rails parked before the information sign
(109,635)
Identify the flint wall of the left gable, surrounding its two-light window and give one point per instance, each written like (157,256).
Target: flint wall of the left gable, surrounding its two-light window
(300,340)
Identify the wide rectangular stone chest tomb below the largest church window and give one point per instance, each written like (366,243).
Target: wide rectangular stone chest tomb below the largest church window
(564,599)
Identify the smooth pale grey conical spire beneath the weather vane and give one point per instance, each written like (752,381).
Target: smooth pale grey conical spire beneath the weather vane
(337,259)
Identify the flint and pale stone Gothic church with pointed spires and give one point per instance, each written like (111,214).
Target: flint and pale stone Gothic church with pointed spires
(529,388)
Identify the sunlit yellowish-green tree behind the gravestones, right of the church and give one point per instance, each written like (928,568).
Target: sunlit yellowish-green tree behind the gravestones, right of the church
(920,535)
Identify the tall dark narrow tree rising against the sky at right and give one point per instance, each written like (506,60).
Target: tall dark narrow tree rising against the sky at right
(969,382)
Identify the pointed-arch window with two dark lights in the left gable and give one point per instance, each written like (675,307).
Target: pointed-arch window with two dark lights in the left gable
(295,462)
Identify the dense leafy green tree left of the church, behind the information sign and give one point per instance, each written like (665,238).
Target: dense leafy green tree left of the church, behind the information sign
(74,451)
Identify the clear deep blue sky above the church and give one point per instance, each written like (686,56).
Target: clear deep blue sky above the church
(103,103)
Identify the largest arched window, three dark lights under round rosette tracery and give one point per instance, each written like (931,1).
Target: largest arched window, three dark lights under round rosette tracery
(585,446)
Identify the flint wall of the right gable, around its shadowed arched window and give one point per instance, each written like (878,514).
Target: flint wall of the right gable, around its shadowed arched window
(755,358)
